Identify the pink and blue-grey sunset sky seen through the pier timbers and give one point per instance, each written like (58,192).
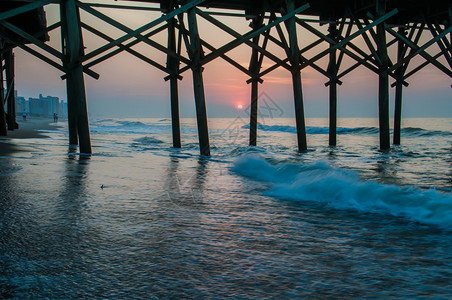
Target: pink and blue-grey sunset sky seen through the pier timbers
(128,87)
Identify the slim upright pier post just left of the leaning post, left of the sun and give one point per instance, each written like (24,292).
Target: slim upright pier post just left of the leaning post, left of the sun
(173,66)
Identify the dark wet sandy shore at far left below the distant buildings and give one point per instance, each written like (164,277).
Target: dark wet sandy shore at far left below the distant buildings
(27,129)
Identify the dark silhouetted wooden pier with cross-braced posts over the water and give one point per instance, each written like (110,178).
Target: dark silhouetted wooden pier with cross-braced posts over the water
(378,24)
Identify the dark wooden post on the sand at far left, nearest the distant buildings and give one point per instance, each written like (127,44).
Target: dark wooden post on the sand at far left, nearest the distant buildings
(10,93)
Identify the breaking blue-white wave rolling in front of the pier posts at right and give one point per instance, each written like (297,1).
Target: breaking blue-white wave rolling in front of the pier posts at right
(343,189)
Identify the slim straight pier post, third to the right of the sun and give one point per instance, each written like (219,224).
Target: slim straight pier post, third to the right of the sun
(333,70)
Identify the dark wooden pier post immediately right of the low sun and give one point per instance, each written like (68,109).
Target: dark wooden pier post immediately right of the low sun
(254,69)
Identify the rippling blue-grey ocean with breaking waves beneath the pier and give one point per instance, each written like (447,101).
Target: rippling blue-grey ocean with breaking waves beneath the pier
(141,220)
